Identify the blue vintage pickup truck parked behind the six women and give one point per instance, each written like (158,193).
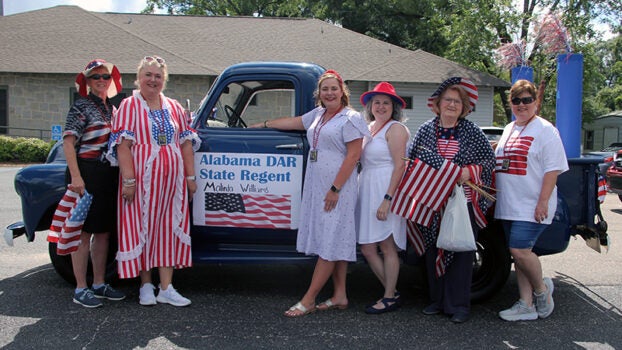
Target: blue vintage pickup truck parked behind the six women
(239,167)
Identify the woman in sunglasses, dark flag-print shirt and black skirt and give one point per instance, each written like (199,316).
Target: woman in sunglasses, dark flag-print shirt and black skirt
(85,141)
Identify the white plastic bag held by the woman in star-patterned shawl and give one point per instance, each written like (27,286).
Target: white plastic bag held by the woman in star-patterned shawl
(456,233)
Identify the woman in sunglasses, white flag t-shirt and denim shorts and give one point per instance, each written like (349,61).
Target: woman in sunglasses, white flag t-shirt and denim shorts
(530,157)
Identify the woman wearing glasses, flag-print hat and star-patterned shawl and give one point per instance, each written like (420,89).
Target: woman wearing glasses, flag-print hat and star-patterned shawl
(459,151)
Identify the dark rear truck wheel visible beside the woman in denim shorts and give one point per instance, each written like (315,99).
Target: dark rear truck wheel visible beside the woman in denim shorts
(492,264)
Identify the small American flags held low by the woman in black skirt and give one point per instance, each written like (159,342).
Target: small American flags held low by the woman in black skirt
(69,237)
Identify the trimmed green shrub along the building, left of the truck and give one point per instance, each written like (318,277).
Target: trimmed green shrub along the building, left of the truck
(23,150)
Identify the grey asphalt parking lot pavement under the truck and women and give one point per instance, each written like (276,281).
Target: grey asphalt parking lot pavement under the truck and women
(241,306)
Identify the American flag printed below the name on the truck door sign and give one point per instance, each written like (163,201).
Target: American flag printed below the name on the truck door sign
(248,210)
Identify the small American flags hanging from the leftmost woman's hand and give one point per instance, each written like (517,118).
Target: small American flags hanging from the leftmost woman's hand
(69,217)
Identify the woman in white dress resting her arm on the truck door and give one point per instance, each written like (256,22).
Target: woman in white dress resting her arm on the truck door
(327,226)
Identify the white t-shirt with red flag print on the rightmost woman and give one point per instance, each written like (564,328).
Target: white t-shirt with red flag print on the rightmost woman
(523,155)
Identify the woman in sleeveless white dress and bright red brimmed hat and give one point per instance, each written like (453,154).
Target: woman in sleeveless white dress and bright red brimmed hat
(382,163)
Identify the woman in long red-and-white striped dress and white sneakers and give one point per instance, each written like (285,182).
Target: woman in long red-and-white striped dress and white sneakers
(154,145)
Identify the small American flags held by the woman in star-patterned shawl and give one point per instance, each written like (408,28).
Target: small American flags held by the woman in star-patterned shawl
(424,189)
